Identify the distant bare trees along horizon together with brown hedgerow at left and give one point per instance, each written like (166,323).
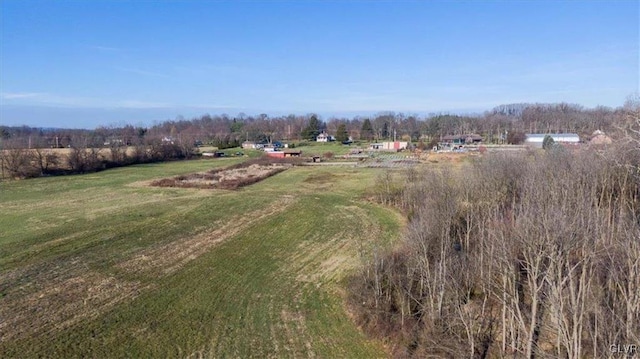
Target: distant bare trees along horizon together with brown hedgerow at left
(175,139)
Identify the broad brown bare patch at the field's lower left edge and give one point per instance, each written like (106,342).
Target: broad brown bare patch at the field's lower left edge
(40,299)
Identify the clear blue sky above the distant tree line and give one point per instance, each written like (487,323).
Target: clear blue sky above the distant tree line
(90,63)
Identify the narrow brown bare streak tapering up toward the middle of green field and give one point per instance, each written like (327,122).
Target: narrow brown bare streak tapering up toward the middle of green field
(170,257)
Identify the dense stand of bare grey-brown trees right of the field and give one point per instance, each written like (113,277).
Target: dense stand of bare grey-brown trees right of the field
(529,255)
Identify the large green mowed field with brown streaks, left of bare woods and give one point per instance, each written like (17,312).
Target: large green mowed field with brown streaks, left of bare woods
(103,265)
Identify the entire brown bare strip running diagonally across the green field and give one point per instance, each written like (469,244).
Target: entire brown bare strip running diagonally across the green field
(53,296)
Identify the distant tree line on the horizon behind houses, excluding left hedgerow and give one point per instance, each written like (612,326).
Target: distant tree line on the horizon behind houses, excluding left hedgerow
(503,124)
